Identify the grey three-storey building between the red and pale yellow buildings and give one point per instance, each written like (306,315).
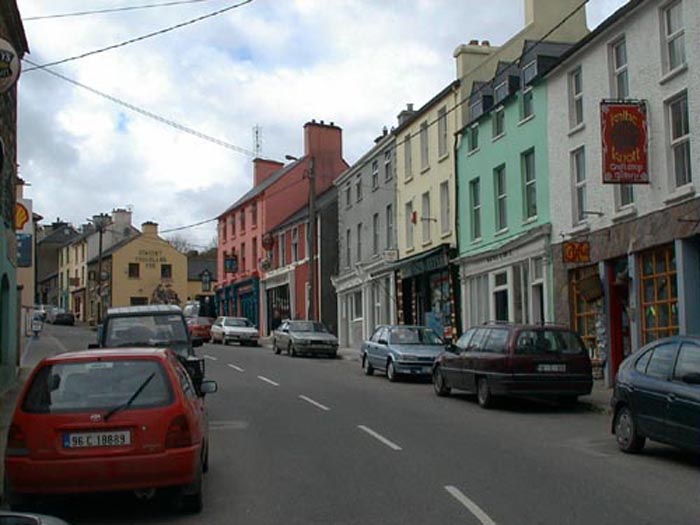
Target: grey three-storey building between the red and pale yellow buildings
(367,243)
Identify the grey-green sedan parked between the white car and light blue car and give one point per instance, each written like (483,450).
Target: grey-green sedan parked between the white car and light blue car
(304,337)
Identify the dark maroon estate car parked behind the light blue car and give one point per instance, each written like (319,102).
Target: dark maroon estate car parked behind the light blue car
(501,359)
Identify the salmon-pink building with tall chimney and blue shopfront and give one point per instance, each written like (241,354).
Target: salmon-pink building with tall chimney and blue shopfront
(278,192)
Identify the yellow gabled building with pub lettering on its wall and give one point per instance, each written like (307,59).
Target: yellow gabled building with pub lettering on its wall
(142,269)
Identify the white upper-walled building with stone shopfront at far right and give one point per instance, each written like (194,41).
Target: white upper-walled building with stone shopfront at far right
(638,275)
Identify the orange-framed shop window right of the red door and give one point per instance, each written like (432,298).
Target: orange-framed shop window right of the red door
(659,293)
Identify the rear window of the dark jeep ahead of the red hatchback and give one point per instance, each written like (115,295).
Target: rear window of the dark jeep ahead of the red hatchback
(146,330)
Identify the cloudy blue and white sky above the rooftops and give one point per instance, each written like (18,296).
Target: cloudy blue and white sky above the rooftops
(270,64)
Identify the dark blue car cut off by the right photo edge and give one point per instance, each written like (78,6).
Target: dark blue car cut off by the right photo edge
(657,395)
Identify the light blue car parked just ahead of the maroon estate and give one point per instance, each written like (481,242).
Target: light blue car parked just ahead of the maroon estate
(401,350)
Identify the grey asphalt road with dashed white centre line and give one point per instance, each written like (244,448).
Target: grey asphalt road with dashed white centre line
(305,440)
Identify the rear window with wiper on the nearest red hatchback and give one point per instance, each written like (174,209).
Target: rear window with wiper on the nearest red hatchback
(95,385)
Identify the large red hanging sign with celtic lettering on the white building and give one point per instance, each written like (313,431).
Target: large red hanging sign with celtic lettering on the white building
(625,142)
